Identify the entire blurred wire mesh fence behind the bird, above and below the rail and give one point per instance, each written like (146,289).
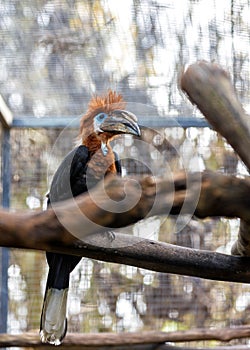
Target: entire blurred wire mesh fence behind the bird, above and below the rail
(54,56)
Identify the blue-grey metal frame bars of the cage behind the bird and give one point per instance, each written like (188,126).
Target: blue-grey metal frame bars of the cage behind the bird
(8,122)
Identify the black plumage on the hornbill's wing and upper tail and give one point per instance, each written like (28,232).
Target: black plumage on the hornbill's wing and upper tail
(70,180)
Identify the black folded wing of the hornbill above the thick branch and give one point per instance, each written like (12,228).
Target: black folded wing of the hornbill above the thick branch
(70,178)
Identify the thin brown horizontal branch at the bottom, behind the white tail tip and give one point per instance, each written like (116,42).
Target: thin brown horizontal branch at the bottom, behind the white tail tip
(100,340)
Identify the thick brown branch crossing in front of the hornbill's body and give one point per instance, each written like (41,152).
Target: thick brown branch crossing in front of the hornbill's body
(207,194)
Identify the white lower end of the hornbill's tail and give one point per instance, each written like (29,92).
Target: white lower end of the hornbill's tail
(53,319)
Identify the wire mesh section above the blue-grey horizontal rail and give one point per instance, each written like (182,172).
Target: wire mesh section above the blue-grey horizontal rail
(55,54)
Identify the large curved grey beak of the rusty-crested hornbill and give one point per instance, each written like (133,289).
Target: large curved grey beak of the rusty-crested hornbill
(121,122)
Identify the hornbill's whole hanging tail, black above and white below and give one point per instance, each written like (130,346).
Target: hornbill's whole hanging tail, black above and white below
(53,326)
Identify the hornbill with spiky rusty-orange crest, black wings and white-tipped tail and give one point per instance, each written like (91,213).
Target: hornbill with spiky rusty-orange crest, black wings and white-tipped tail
(88,163)
